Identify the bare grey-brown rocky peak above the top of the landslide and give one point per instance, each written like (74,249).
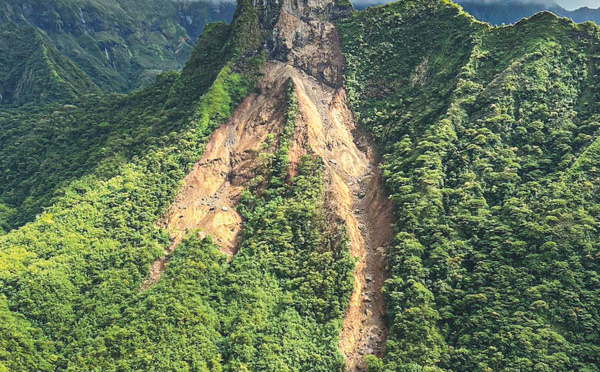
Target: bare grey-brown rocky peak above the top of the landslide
(301,33)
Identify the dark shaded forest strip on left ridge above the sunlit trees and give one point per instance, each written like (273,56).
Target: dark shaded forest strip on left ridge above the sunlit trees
(44,148)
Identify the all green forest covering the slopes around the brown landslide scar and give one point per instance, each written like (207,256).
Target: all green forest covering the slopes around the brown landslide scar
(490,138)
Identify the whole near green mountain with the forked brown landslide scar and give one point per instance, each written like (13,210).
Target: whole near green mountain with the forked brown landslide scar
(399,189)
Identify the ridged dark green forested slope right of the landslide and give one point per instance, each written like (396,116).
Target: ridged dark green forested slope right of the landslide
(490,138)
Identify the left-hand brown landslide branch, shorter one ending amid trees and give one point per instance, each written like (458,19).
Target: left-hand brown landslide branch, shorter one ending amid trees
(212,189)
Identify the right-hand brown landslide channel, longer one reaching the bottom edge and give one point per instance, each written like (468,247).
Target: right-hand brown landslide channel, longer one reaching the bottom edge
(357,197)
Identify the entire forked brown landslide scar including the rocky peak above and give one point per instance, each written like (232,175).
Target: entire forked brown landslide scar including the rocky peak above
(311,56)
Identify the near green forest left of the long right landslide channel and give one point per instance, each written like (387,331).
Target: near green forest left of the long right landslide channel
(70,279)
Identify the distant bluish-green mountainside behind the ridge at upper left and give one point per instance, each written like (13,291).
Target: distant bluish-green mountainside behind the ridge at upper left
(120,45)
